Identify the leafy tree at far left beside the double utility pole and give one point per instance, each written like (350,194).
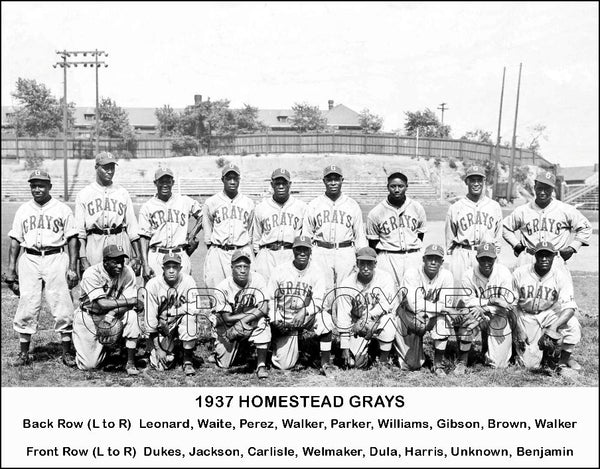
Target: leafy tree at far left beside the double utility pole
(39,112)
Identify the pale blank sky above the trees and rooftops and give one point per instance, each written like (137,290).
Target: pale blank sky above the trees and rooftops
(389,57)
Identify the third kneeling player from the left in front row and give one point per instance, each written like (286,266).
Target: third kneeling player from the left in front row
(241,297)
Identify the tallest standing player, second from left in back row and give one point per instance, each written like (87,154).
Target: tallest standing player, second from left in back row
(104,215)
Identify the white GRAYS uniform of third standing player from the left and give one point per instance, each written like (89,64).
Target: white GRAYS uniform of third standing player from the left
(167,226)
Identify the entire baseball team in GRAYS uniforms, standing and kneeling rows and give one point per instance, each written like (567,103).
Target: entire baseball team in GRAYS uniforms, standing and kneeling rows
(280,271)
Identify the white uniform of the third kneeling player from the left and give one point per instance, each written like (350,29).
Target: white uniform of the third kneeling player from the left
(232,298)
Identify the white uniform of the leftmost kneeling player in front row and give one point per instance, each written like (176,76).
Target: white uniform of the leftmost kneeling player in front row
(96,284)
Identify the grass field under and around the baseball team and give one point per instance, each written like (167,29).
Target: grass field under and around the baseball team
(48,371)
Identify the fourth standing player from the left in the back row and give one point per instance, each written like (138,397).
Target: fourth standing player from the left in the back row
(227,222)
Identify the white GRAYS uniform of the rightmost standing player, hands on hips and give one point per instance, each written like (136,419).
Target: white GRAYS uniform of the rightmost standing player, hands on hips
(559,223)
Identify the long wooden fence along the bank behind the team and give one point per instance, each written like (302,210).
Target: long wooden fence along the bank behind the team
(385,144)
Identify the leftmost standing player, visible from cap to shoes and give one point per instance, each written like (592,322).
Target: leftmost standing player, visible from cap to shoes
(41,230)
